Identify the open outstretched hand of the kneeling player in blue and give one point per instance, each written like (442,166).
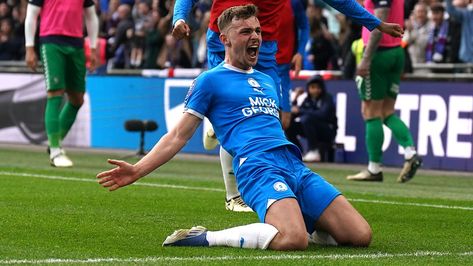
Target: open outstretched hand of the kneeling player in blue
(122,175)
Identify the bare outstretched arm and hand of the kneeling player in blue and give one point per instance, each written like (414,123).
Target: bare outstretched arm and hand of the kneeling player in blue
(125,174)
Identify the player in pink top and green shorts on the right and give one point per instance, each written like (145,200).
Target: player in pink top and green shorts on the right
(378,78)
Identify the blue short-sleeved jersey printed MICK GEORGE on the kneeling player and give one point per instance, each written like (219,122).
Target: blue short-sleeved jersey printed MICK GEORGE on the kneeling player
(242,106)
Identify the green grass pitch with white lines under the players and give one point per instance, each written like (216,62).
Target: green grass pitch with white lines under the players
(62,216)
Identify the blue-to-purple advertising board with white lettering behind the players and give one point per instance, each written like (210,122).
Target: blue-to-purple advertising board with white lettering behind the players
(439,115)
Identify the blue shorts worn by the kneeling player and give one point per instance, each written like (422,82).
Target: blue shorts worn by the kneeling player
(279,173)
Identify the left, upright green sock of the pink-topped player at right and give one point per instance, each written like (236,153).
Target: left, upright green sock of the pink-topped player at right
(374,139)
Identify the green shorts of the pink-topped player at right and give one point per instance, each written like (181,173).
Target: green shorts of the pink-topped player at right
(385,75)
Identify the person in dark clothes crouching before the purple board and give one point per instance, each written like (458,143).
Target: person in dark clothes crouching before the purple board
(314,118)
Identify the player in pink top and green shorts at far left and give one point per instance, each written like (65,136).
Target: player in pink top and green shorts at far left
(62,53)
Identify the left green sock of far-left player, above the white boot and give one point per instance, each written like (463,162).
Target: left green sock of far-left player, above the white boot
(51,120)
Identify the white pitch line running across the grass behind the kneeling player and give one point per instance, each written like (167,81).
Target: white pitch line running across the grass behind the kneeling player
(64,178)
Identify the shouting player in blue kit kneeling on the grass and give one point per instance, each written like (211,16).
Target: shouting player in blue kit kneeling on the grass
(243,106)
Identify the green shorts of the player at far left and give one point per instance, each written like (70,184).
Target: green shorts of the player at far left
(64,67)
